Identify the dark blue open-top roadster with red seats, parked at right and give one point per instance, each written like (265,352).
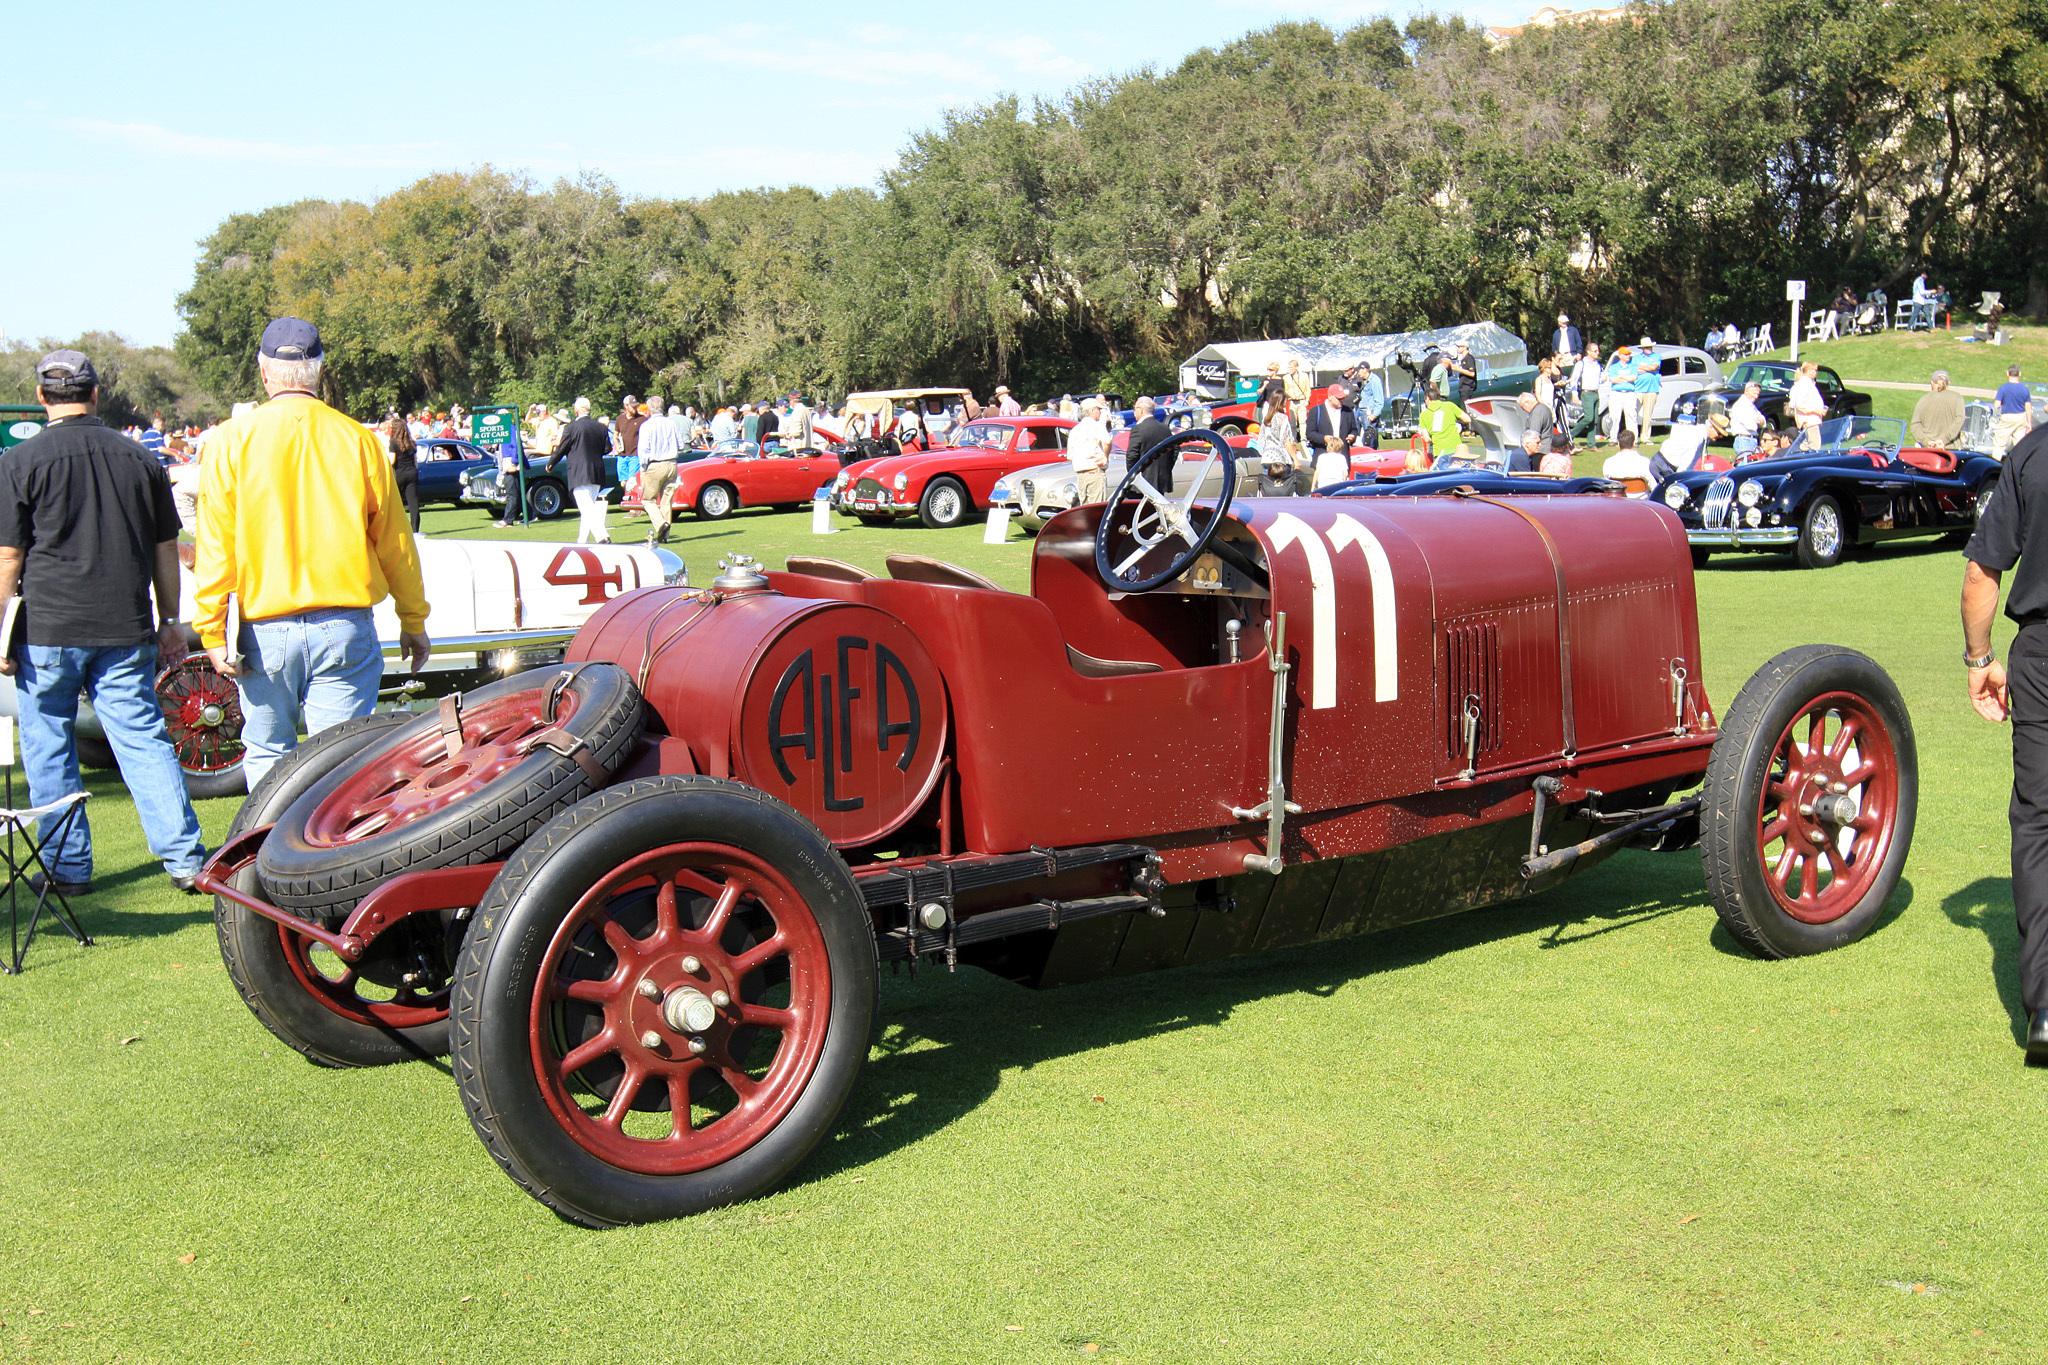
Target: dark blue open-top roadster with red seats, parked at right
(1865,486)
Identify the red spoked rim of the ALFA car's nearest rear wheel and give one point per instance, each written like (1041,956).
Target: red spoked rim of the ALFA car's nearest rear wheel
(681,1010)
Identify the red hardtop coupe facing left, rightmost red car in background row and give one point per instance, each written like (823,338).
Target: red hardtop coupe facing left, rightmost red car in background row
(949,484)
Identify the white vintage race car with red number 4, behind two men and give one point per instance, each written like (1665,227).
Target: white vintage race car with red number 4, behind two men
(499,607)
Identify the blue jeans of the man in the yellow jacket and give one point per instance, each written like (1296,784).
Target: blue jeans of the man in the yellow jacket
(306,672)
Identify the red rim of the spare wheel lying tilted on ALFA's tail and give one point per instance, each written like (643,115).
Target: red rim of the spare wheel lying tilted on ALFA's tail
(419,777)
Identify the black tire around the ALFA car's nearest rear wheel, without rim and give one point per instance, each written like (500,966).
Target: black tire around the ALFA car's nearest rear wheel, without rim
(503,963)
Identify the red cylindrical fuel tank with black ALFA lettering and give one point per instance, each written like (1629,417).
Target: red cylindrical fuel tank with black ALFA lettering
(833,707)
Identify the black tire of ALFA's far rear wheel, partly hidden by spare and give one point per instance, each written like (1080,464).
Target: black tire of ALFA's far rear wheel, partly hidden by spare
(253,951)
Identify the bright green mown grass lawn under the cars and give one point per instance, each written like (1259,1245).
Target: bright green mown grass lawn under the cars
(1584,1129)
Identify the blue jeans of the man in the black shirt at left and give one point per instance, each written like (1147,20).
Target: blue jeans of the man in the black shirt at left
(122,685)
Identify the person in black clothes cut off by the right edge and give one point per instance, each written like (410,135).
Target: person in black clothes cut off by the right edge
(2014,531)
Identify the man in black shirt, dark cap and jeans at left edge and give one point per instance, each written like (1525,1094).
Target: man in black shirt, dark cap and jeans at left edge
(87,529)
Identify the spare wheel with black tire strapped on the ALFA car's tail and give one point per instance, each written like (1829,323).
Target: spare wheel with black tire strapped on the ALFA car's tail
(327,875)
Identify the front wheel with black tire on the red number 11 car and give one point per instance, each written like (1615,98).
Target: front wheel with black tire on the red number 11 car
(1738,781)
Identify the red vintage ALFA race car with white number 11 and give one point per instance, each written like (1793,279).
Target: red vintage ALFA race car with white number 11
(644,899)
